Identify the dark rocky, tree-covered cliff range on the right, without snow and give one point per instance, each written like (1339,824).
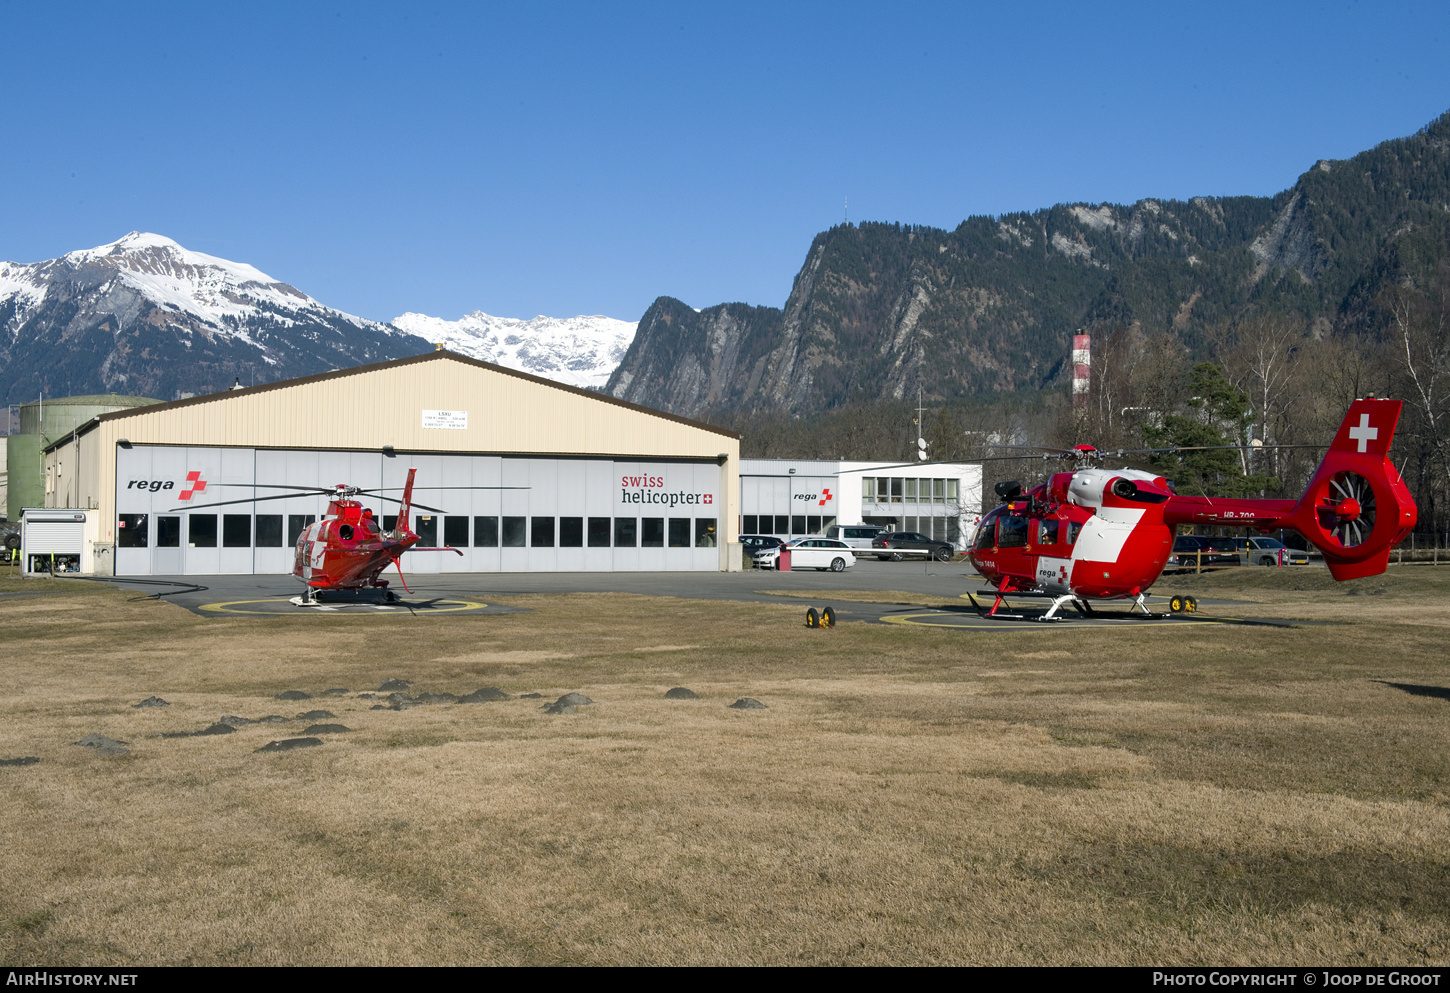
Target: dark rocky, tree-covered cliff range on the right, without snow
(881,309)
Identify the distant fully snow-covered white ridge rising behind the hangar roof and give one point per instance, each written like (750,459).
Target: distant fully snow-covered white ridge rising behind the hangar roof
(579,352)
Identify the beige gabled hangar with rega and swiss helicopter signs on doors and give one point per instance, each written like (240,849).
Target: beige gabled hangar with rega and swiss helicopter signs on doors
(517,472)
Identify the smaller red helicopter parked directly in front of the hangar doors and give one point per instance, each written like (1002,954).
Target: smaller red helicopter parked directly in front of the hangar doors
(349,550)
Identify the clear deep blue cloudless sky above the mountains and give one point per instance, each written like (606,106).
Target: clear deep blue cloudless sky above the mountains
(587,159)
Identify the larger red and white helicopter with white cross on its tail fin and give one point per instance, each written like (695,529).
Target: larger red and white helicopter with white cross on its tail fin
(1101,534)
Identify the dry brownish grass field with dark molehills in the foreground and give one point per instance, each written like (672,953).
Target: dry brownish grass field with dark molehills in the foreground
(1104,797)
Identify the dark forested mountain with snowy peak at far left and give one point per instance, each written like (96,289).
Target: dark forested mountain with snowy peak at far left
(150,318)
